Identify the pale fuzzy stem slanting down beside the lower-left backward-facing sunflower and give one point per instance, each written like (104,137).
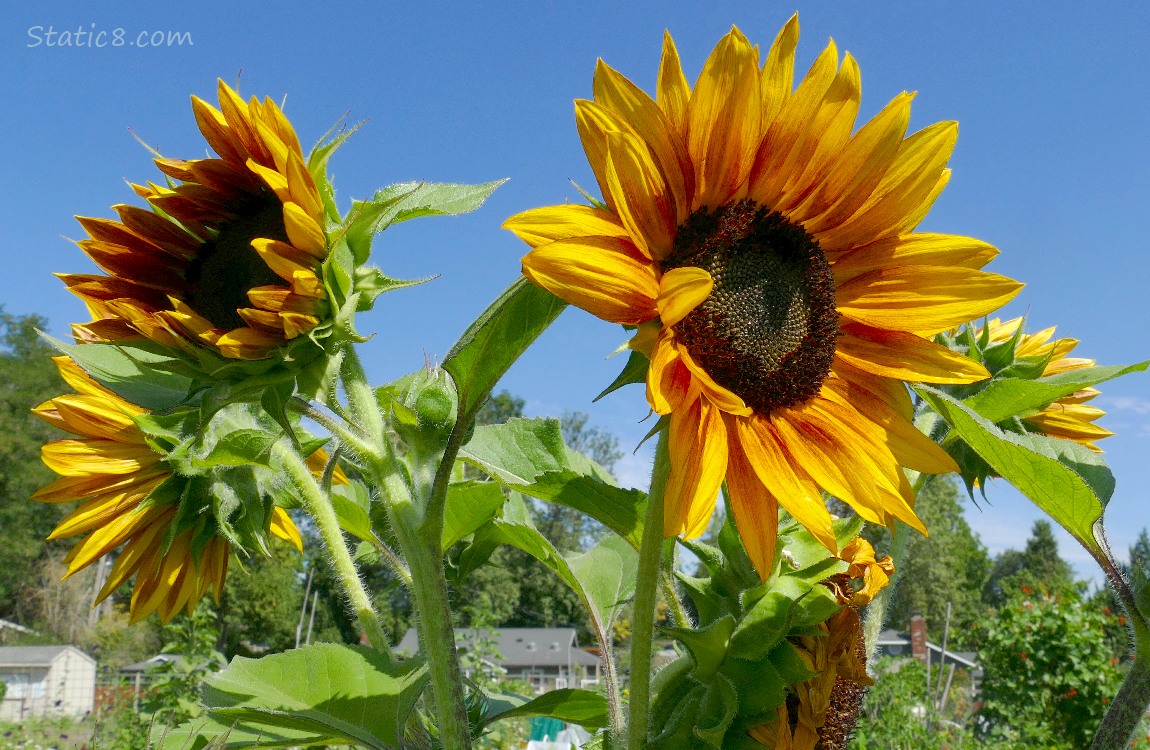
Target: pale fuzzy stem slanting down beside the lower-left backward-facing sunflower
(319,507)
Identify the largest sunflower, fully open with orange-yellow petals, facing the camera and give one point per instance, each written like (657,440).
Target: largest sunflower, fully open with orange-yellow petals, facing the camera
(769,259)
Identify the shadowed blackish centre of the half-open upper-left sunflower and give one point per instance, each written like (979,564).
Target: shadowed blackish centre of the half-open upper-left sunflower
(227,267)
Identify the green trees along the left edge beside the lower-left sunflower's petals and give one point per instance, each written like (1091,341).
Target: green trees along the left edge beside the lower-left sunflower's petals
(28,378)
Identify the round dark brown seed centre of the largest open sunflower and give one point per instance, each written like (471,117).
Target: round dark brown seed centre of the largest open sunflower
(768,331)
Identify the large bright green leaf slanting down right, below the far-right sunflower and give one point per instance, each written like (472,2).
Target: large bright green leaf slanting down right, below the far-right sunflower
(1068,481)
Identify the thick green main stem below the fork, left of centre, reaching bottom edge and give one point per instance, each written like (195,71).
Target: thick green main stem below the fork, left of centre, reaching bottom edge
(433,613)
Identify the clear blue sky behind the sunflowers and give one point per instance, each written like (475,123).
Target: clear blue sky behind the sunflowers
(1052,164)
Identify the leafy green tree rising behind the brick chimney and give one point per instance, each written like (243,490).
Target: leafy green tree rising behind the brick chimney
(949,567)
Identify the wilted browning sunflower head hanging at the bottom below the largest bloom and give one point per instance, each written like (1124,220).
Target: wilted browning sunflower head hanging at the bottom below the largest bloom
(821,713)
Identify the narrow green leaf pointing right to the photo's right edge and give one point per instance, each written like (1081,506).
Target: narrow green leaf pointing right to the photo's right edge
(1008,397)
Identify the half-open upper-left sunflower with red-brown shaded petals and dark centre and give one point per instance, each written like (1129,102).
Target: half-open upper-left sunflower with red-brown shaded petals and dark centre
(228,255)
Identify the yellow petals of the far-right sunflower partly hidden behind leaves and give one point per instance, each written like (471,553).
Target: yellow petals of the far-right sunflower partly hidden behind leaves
(1068,418)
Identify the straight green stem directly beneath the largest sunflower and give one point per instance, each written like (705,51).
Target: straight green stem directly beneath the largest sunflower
(643,617)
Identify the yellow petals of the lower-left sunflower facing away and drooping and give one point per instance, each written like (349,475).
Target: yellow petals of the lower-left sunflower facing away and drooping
(133,502)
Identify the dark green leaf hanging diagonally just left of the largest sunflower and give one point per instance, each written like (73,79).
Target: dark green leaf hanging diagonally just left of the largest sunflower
(497,339)
